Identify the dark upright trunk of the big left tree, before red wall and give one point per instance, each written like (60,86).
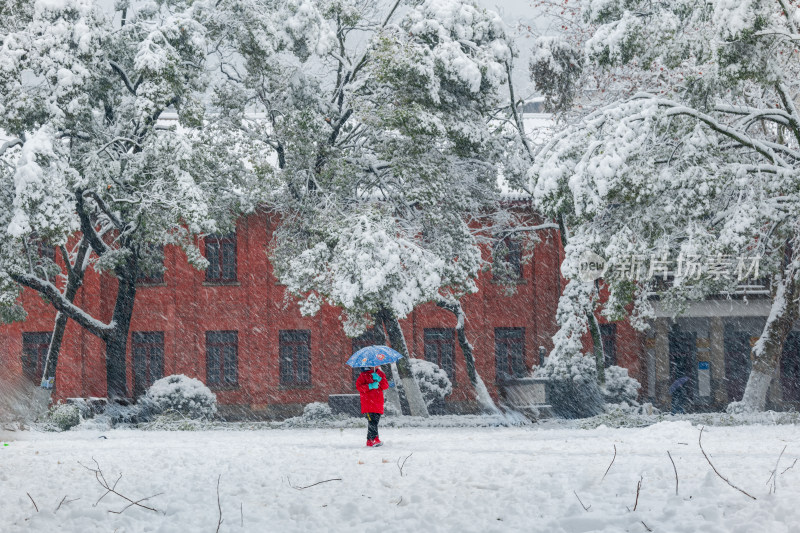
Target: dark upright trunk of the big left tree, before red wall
(117,341)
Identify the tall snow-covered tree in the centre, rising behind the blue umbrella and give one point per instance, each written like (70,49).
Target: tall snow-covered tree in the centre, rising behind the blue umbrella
(378,123)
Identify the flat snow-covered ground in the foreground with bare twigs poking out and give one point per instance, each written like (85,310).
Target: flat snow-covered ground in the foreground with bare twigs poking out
(454,479)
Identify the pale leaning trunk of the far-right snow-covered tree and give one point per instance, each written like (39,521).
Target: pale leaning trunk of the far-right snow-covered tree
(766,353)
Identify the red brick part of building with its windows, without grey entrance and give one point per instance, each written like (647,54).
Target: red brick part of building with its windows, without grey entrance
(235,328)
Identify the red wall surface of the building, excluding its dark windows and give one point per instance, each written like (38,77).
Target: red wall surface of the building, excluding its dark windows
(185,307)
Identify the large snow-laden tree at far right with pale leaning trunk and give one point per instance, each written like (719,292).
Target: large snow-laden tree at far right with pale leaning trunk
(701,165)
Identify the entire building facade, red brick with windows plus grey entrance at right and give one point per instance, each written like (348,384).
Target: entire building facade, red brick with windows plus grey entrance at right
(236,329)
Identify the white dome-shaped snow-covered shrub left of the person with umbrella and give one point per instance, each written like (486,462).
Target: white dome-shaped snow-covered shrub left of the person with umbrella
(181,394)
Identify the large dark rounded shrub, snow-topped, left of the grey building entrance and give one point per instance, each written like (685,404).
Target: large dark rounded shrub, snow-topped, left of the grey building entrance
(573,391)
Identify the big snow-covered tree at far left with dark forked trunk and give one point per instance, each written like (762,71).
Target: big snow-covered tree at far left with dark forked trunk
(83,95)
